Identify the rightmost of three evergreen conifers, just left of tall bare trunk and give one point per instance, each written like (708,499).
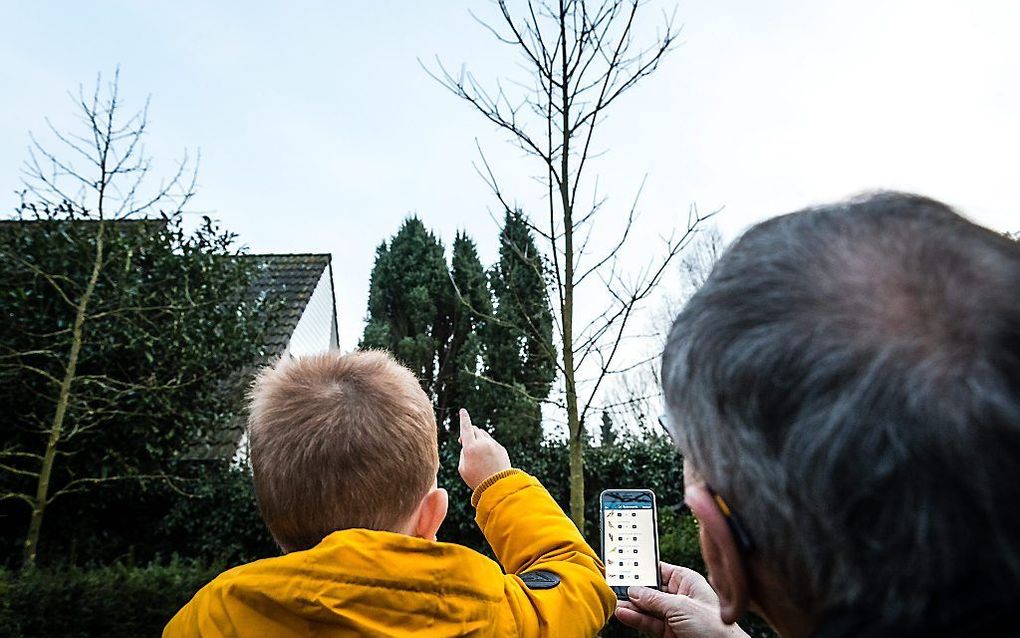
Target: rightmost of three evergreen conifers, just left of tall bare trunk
(521,361)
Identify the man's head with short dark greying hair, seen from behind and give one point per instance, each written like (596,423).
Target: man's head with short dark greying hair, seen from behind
(848,380)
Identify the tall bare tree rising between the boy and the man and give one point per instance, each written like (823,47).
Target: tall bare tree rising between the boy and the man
(580,58)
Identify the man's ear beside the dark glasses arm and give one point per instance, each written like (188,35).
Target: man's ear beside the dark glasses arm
(727,566)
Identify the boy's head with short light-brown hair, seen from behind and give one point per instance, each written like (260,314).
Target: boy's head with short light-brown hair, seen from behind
(343,441)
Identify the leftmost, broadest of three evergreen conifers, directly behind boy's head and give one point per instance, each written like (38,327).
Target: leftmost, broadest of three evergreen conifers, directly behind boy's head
(411,303)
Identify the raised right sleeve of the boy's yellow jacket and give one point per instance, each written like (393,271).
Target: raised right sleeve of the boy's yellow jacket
(528,531)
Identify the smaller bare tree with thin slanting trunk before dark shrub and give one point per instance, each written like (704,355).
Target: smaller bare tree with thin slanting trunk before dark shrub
(99,176)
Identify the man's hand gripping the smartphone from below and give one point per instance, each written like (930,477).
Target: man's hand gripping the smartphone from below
(690,609)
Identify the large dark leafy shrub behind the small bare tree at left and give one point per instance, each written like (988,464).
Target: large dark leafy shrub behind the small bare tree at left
(170,331)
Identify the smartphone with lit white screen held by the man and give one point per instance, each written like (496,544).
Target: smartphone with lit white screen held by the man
(630,524)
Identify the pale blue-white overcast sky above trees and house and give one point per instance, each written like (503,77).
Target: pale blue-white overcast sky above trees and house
(320,132)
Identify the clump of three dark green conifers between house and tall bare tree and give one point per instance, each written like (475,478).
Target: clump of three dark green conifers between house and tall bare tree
(475,341)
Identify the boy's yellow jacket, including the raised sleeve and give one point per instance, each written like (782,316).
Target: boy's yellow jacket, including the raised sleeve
(368,583)
